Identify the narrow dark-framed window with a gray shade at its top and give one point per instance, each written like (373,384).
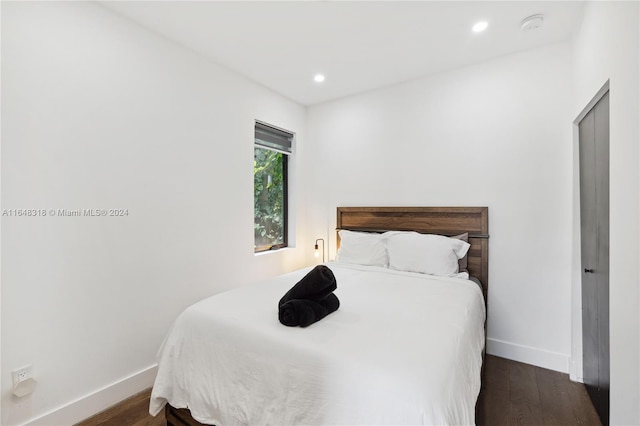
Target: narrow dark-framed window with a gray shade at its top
(271,151)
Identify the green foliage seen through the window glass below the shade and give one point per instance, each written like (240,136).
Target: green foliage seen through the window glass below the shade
(269,197)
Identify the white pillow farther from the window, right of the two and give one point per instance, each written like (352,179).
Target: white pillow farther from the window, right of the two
(425,253)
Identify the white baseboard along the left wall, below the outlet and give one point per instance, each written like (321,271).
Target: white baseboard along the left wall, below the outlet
(97,401)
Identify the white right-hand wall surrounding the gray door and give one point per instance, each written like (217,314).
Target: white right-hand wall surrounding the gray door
(607,48)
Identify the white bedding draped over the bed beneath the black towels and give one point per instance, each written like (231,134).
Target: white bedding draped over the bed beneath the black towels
(403,348)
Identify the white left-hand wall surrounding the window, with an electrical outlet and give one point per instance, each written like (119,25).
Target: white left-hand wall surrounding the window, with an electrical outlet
(99,113)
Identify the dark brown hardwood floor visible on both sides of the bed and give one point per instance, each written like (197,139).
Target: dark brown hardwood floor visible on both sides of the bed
(512,394)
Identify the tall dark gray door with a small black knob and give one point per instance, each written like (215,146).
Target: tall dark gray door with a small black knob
(594,219)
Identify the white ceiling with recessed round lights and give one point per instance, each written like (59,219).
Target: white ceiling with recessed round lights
(357,45)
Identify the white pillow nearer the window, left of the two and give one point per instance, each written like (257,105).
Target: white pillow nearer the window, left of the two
(362,248)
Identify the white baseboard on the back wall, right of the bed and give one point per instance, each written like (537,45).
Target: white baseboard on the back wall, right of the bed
(529,355)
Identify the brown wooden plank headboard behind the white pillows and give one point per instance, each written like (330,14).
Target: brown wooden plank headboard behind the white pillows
(447,221)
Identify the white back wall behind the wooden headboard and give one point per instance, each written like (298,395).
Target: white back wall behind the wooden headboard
(497,134)
